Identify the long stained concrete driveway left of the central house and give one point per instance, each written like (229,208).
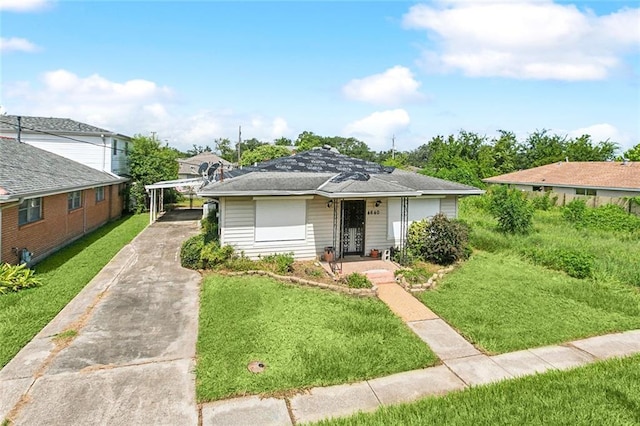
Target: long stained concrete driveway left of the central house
(132,359)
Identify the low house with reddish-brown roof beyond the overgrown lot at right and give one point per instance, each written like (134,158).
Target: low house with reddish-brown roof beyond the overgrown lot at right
(598,178)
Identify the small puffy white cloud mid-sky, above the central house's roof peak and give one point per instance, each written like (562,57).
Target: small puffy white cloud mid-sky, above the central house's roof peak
(392,87)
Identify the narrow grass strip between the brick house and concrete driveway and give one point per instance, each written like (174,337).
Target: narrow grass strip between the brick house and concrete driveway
(63,275)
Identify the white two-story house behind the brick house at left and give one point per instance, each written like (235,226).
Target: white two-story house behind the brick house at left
(89,145)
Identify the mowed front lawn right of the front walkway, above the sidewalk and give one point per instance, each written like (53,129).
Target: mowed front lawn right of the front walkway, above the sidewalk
(503,303)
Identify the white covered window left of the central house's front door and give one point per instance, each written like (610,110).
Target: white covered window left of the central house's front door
(280,220)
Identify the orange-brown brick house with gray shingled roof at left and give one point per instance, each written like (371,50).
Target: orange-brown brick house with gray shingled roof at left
(48,201)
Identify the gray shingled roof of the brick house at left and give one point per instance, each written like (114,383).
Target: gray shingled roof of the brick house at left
(29,171)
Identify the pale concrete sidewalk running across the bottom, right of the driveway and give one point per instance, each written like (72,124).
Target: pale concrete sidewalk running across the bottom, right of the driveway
(460,373)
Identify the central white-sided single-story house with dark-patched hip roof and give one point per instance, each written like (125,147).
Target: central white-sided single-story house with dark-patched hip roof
(320,198)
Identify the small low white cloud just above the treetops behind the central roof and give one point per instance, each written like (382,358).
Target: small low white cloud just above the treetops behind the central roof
(378,128)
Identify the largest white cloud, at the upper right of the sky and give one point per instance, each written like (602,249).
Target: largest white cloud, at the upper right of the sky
(526,39)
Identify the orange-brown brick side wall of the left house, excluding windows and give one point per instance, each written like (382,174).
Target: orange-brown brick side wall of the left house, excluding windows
(58,226)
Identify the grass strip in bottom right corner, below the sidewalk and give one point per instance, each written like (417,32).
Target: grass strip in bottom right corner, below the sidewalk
(605,393)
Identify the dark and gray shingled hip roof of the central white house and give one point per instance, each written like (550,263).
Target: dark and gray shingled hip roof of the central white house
(327,173)
